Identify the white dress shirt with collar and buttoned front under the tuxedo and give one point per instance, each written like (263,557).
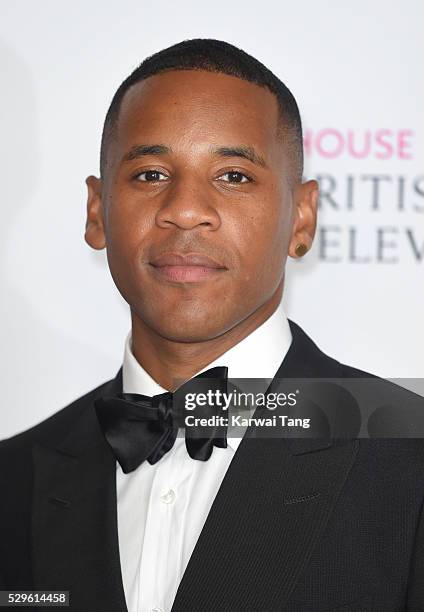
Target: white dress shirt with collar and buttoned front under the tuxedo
(162,507)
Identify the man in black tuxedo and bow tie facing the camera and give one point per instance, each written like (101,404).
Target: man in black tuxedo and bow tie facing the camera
(199,203)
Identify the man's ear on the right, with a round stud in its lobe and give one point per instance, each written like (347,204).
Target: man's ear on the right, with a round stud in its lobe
(305,216)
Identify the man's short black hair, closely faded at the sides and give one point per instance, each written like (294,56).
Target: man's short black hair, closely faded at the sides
(219,57)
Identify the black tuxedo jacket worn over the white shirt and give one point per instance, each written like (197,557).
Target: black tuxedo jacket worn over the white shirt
(299,524)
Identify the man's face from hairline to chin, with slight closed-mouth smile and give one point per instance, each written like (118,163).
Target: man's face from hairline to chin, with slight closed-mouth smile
(195,208)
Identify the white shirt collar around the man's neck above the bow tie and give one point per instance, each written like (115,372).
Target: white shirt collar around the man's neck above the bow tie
(258,355)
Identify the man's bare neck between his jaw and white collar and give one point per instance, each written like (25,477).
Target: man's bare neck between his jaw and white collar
(170,363)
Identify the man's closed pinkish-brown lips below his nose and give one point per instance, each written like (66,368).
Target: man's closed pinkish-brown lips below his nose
(192,267)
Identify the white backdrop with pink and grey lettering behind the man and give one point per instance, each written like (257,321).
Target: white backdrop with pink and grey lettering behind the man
(356,71)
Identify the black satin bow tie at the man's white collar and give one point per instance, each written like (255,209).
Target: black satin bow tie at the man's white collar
(139,427)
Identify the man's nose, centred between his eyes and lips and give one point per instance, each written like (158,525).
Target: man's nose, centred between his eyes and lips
(187,204)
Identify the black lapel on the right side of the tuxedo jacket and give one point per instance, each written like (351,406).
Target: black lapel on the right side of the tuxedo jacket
(272,508)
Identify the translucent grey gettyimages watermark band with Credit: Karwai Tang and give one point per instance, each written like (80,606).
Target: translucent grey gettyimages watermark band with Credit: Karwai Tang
(359,407)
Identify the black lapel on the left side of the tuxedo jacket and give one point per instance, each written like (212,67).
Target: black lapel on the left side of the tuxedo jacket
(74,516)
